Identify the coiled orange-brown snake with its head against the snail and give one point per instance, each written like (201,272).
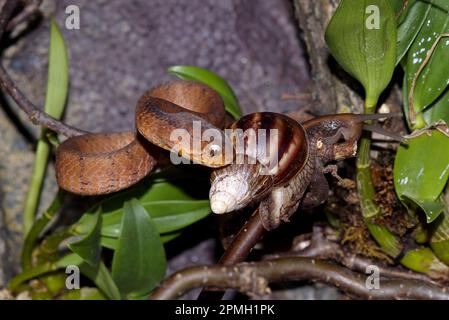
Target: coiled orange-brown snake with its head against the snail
(101,163)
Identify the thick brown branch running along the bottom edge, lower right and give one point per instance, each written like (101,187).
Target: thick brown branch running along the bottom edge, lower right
(253,278)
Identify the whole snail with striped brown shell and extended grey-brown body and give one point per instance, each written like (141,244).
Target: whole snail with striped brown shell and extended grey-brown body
(298,177)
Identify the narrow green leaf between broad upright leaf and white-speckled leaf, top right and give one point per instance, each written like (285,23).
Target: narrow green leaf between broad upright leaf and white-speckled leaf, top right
(410,27)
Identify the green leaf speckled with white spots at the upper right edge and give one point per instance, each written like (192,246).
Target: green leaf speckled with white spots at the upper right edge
(434,78)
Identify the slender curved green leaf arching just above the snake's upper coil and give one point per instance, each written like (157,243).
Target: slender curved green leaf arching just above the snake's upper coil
(212,80)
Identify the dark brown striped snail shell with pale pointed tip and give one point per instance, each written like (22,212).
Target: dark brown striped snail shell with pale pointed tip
(270,149)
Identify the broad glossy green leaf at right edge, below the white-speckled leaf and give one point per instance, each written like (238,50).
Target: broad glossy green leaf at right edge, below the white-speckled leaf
(421,170)
